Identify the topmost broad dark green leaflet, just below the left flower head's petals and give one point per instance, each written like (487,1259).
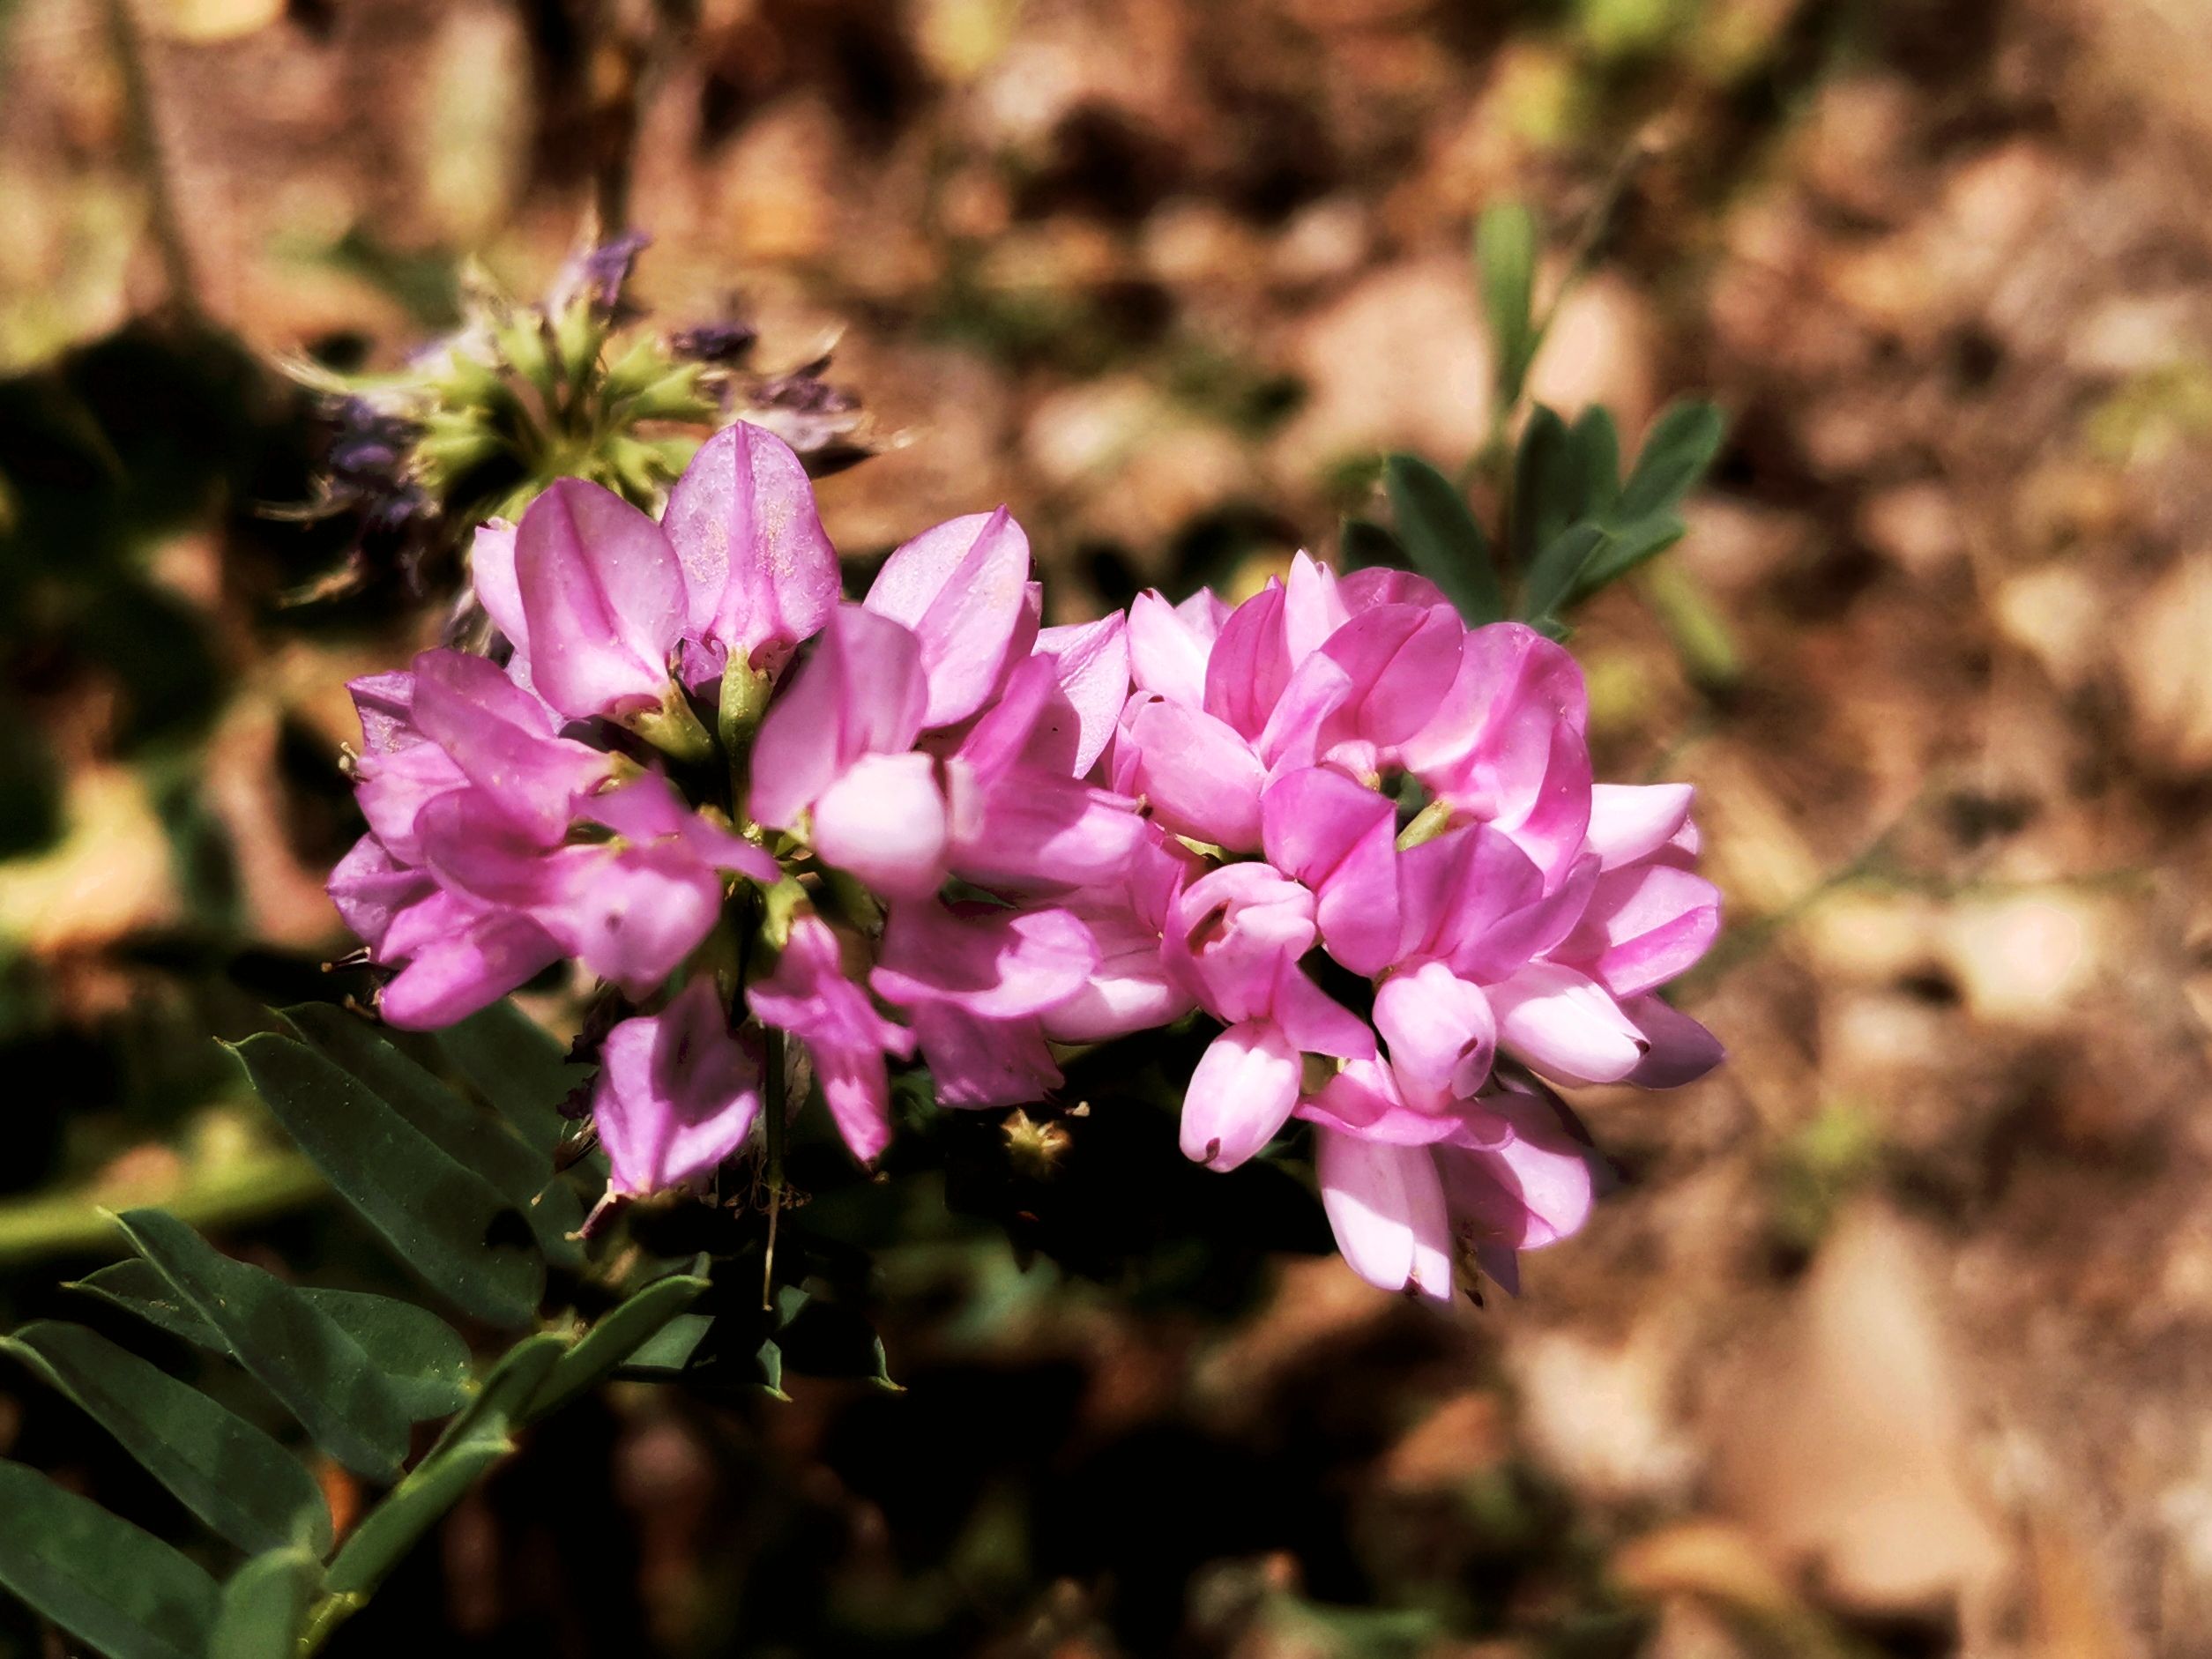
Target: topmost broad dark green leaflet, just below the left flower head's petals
(446,1222)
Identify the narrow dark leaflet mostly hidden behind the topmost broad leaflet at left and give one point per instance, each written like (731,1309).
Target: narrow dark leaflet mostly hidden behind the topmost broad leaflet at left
(466,1134)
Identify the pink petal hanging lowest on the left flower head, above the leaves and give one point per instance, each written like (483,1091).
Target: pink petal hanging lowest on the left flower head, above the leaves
(676,1094)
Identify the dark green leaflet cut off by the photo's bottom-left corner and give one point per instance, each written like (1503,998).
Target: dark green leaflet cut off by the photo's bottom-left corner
(101,1578)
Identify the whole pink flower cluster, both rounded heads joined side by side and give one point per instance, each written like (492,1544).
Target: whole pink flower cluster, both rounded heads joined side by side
(1353,831)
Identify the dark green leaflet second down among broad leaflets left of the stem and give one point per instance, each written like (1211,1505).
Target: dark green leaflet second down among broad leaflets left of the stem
(284,1342)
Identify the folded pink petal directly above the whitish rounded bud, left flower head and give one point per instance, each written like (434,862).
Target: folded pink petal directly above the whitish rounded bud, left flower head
(859,693)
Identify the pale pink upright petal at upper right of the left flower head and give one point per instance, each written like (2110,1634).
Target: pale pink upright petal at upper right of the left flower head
(963,589)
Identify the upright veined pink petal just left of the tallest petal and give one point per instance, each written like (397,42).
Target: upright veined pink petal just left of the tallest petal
(603,598)
